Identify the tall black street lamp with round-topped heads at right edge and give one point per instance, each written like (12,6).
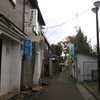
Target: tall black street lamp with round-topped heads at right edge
(95,10)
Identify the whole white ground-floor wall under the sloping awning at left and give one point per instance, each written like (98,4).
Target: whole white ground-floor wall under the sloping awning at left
(10,66)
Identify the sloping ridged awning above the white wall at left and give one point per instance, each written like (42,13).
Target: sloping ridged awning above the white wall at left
(10,30)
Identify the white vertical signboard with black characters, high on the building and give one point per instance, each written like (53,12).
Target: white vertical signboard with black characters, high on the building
(32,22)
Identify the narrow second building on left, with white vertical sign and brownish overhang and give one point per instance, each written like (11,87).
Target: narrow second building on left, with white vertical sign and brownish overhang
(33,64)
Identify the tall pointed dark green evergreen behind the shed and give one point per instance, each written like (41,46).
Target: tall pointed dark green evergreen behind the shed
(80,42)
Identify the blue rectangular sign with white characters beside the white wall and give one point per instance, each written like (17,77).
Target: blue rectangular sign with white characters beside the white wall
(27,47)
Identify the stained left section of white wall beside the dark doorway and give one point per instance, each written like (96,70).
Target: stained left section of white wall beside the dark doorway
(5,66)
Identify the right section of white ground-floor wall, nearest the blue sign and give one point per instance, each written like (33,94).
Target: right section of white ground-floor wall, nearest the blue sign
(15,73)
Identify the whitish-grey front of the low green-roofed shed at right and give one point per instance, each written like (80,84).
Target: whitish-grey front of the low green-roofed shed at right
(83,66)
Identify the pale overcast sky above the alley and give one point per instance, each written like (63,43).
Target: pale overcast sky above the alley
(67,14)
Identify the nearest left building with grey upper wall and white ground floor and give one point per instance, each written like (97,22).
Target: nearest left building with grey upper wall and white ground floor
(11,37)
